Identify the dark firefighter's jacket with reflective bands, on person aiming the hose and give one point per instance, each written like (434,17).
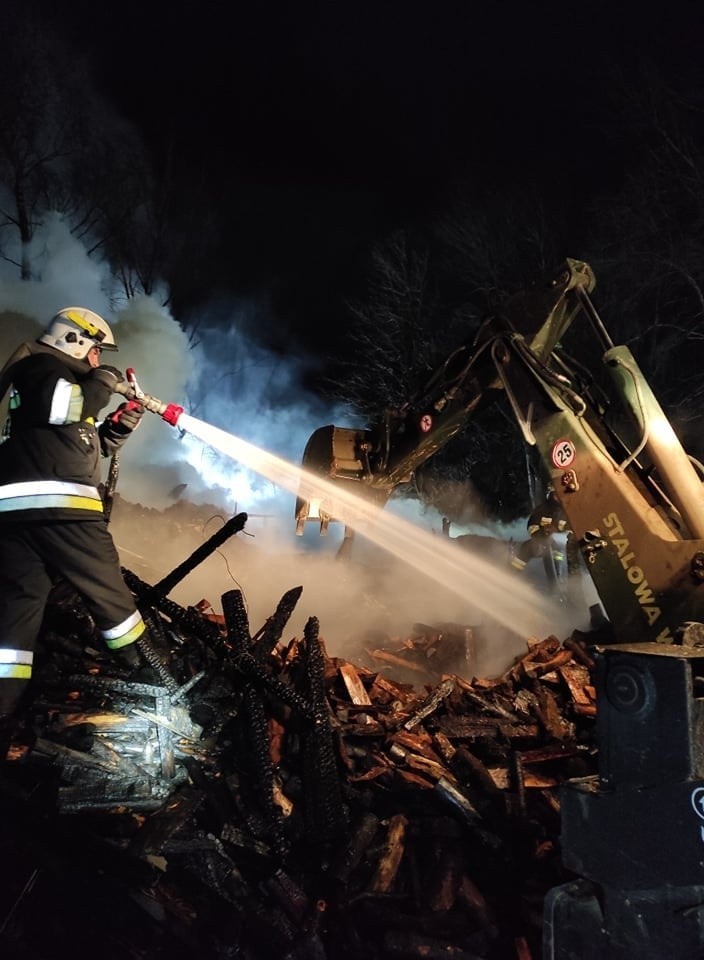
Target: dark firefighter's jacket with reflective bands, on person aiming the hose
(50,462)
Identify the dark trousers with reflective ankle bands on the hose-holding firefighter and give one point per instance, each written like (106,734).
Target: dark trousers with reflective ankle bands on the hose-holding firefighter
(33,557)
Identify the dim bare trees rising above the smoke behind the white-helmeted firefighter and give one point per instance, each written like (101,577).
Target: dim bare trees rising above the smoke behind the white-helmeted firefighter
(64,149)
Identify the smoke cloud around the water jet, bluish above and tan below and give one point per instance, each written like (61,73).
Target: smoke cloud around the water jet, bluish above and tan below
(228,381)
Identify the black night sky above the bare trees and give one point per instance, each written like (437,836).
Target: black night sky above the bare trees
(315,129)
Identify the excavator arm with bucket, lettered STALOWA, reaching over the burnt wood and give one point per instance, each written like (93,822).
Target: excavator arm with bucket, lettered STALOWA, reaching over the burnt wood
(632,497)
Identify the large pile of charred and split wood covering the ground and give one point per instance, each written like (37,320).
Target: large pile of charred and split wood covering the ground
(245,796)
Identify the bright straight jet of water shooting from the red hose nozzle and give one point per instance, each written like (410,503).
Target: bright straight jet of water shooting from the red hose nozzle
(501,594)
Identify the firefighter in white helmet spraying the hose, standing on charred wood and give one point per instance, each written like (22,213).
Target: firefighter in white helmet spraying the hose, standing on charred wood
(52,524)
